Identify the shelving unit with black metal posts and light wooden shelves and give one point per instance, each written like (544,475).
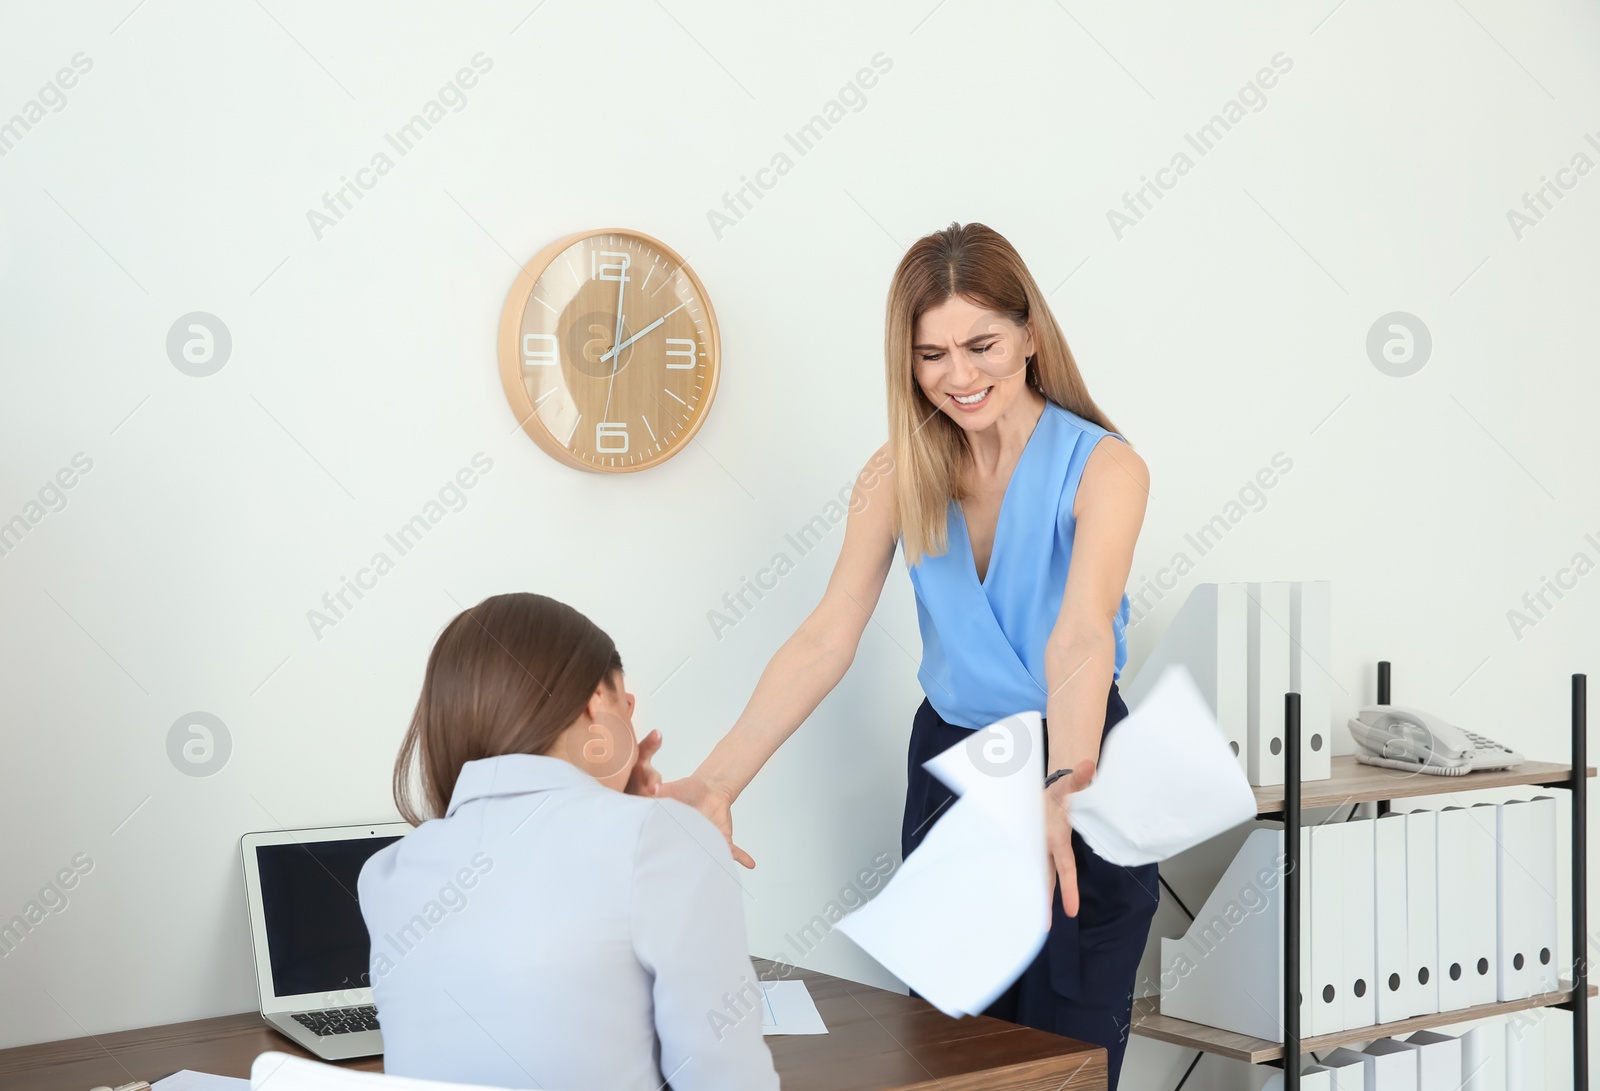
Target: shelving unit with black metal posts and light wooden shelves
(1356,783)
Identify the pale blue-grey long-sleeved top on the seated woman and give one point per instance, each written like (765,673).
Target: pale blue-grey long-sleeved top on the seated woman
(553,933)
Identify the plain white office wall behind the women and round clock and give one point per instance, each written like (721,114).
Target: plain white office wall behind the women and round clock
(1225,327)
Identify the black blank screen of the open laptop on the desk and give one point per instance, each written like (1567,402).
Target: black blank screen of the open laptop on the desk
(316,935)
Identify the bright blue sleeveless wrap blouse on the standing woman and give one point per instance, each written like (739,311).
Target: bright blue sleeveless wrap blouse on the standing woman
(983,644)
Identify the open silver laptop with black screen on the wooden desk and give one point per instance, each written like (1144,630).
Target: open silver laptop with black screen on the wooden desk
(310,937)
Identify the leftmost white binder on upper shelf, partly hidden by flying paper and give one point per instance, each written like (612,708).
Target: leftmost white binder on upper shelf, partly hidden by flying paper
(1209,637)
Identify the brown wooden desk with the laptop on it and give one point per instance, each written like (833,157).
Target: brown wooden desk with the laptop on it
(878,1041)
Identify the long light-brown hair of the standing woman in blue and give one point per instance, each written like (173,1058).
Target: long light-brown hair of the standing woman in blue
(977,263)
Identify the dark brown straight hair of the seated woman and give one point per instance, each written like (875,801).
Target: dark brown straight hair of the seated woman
(506,677)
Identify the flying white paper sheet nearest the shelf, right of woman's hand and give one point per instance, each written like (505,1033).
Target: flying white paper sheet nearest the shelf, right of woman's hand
(1167,780)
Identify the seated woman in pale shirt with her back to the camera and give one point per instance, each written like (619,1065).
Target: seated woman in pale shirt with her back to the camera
(543,929)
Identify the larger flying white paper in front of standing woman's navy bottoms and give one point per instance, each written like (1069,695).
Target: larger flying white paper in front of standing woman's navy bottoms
(970,909)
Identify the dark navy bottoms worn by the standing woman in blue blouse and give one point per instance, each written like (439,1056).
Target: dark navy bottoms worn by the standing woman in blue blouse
(1081,985)
